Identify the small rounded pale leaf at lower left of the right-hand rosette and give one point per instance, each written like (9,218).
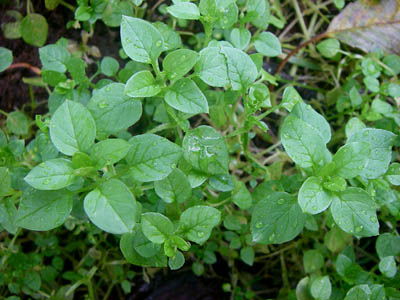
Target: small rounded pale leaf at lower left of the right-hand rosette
(313,198)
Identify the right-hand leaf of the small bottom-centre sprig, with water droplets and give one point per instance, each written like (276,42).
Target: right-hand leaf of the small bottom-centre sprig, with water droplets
(197,222)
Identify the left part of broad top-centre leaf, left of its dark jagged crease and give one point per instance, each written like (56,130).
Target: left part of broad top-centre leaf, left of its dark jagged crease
(212,68)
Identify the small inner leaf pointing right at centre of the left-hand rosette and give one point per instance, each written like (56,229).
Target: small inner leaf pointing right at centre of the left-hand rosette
(109,151)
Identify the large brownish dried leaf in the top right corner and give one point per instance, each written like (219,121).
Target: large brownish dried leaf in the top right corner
(369,25)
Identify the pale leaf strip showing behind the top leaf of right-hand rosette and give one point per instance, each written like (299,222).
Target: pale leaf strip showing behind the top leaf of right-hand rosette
(307,114)
